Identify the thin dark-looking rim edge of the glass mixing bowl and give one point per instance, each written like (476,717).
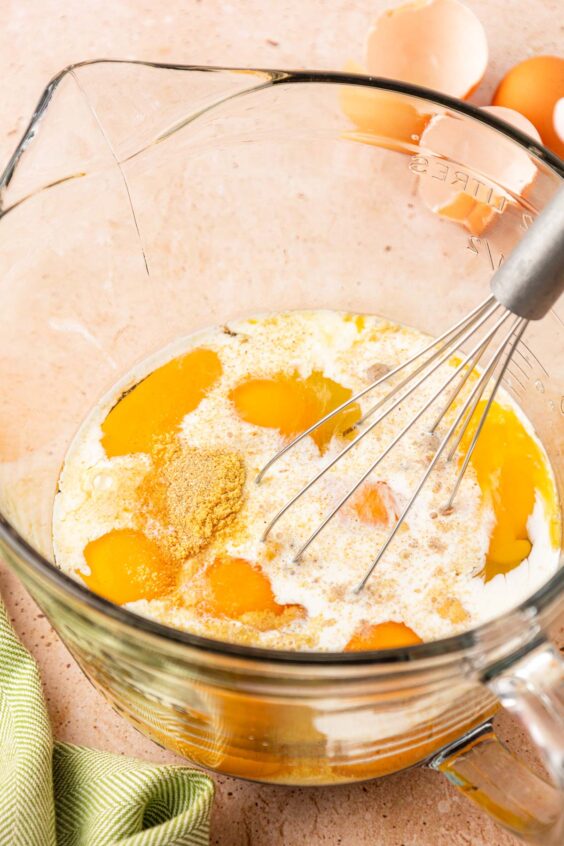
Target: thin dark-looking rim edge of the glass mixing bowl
(48,571)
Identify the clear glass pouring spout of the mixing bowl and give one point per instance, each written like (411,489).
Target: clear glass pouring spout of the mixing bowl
(76,130)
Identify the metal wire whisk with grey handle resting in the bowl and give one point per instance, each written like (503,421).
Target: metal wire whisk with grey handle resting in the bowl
(524,288)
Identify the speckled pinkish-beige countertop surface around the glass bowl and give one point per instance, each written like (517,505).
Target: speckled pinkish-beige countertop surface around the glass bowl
(37,38)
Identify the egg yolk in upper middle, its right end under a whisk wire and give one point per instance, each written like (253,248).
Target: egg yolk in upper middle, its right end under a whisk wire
(292,404)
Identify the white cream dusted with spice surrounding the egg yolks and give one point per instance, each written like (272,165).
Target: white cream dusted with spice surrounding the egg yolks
(429,569)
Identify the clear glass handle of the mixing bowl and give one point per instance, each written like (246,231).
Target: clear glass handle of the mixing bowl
(482,768)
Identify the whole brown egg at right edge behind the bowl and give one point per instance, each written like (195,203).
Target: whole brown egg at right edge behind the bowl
(534,88)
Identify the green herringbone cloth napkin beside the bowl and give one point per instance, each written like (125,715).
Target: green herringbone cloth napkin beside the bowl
(55,794)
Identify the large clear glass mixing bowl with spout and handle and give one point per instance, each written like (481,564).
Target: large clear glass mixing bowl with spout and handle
(145,202)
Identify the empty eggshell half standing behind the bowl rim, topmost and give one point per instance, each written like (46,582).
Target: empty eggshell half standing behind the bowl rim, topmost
(439,44)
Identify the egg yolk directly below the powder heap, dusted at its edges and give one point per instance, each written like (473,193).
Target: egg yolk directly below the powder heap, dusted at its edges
(237,587)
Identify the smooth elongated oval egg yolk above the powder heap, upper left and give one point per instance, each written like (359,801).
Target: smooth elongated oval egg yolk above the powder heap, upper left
(157,405)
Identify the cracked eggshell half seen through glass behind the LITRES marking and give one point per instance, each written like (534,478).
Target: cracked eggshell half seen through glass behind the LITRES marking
(468,193)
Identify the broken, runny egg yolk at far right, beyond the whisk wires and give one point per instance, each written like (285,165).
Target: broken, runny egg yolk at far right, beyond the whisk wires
(510,468)
